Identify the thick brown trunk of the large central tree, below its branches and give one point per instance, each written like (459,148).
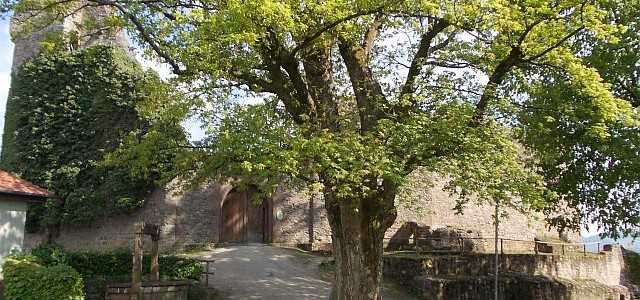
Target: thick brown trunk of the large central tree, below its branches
(358,227)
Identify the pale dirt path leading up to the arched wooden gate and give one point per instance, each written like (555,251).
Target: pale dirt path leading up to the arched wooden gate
(266,272)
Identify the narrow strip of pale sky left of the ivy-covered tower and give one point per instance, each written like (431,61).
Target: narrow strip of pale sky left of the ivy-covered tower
(6,53)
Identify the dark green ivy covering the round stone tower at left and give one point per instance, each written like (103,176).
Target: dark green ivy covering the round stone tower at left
(66,110)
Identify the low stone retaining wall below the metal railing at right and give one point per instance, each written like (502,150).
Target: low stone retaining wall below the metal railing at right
(521,276)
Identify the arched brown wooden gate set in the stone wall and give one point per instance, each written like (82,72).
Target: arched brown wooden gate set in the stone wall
(244,222)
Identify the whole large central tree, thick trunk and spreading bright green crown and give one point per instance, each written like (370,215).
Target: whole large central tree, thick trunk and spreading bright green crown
(356,95)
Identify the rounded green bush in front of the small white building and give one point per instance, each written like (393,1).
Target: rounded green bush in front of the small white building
(29,281)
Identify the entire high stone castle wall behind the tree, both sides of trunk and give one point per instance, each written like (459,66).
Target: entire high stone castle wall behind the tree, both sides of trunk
(193,218)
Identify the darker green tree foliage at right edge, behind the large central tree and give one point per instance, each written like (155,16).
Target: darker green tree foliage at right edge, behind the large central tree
(585,141)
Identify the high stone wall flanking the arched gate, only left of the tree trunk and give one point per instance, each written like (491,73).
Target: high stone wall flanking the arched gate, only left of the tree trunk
(193,219)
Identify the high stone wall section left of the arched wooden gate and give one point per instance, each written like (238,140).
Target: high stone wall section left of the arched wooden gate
(185,219)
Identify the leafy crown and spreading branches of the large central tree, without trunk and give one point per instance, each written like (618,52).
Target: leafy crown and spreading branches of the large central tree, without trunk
(409,83)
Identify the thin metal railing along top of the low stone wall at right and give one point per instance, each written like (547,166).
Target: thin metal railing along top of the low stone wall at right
(487,245)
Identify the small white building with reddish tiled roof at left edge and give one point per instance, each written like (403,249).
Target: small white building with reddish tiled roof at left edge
(15,195)
